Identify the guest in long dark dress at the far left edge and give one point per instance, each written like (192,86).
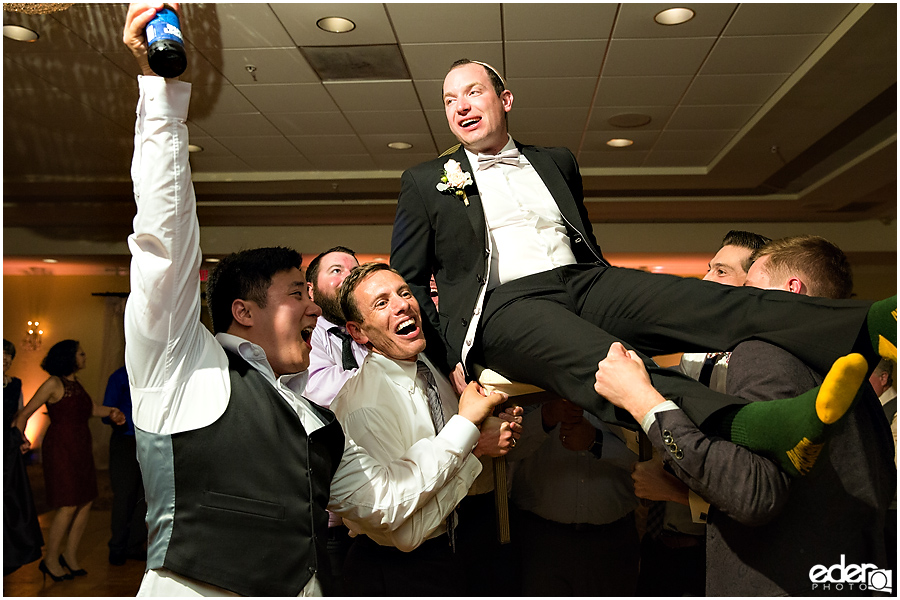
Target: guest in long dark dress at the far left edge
(22,539)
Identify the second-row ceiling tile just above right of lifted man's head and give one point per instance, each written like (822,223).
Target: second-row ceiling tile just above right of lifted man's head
(578,58)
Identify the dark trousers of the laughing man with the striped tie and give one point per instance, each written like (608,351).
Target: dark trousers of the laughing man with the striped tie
(432,569)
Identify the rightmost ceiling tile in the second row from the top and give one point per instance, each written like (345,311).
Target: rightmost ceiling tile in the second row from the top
(762,54)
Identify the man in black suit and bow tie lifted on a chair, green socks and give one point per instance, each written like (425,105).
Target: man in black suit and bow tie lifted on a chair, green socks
(526,292)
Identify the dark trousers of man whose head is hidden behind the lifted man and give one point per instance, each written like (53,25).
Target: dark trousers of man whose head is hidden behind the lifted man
(567,559)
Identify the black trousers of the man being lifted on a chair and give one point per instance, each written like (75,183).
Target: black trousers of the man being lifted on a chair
(551,329)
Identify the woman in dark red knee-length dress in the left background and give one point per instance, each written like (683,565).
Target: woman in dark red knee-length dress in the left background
(67,454)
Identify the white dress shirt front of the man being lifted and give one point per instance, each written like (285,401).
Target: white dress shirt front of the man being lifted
(528,234)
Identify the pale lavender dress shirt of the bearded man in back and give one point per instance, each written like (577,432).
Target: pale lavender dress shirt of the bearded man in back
(326,366)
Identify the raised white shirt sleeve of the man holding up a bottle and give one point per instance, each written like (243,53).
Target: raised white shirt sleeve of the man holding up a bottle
(177,370)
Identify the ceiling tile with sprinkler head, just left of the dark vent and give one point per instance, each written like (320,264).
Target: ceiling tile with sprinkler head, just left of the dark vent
(273,65)
